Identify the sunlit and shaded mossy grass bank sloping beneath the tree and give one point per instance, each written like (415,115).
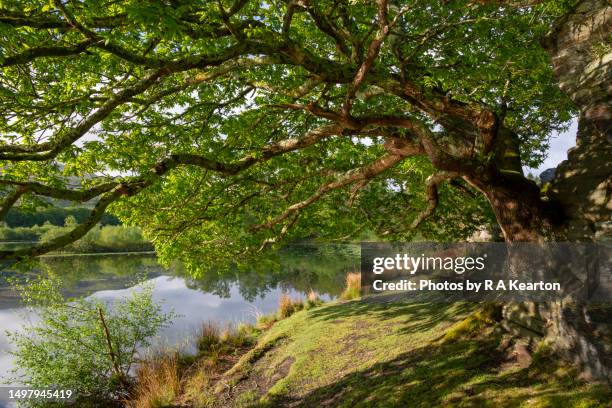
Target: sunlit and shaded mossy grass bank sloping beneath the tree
(346,354)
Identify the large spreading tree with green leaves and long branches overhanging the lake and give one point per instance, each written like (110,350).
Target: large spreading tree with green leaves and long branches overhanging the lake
(235,125)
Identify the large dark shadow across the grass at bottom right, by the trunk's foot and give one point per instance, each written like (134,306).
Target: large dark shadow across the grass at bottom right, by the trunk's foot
(458,374)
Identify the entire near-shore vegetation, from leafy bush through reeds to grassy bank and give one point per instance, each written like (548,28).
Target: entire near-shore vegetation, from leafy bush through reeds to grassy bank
(343,353)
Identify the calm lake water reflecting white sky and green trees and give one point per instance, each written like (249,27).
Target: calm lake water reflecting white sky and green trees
(227,297)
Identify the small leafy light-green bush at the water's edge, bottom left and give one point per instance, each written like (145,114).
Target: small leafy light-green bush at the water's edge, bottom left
(86,344)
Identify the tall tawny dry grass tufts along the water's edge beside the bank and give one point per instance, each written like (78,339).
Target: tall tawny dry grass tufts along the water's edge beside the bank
(169,379)
